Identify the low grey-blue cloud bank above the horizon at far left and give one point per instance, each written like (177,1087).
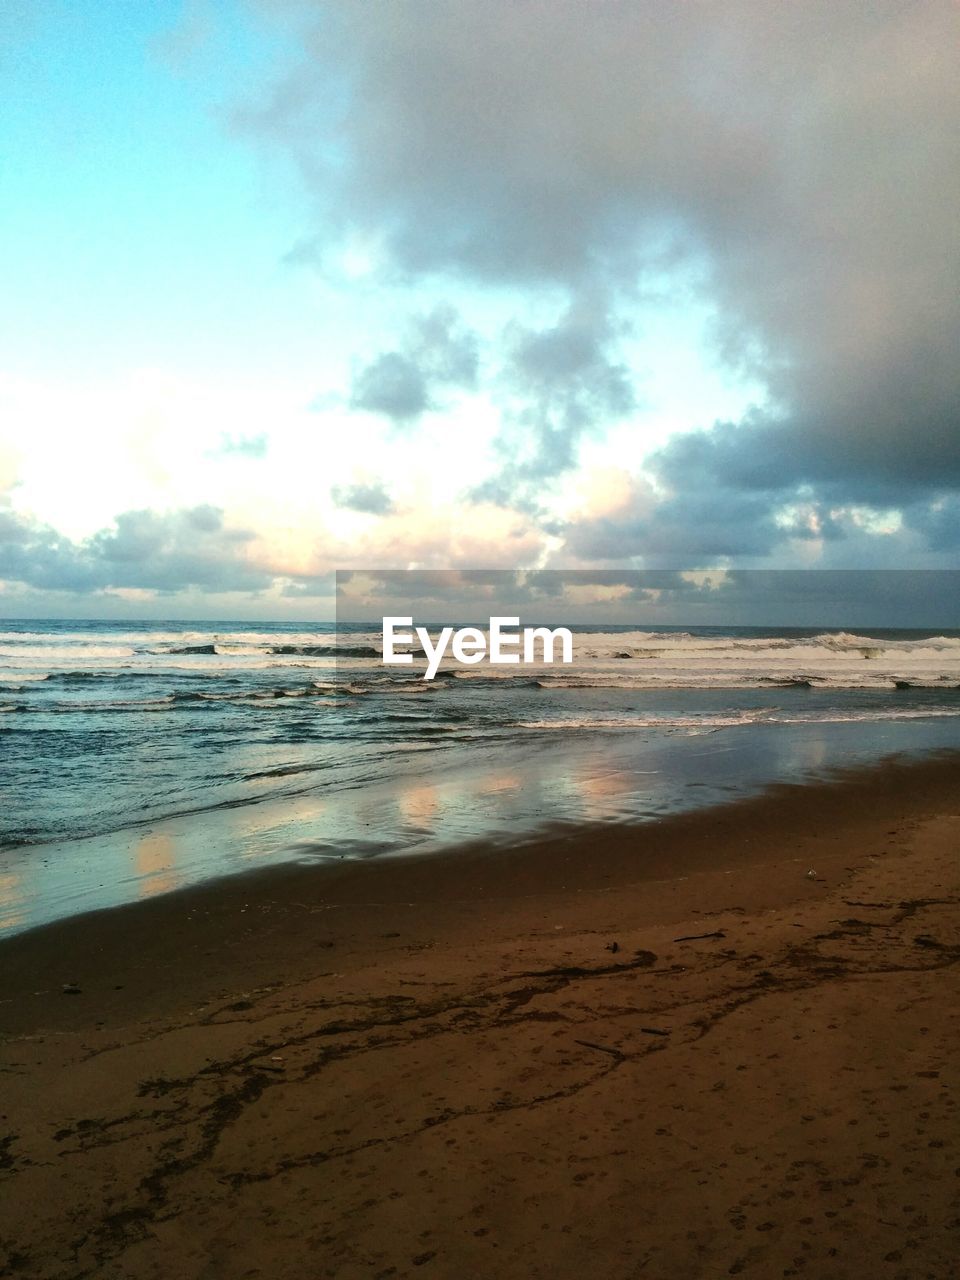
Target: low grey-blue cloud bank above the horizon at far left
(144,550)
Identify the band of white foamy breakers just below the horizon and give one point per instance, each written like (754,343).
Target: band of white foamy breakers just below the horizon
(621,660)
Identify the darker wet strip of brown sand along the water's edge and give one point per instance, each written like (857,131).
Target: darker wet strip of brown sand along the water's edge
(295,908)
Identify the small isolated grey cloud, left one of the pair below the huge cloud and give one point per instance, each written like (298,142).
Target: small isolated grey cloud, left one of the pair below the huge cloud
(437,353)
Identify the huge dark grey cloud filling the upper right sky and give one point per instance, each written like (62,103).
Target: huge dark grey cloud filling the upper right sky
(803,159)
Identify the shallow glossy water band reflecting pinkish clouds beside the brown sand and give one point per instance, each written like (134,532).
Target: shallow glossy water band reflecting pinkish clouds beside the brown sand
(500,796)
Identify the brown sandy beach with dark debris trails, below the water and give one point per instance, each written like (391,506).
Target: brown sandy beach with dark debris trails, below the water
(657,1052)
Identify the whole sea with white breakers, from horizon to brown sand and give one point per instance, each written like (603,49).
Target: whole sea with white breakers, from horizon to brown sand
(141,757)
